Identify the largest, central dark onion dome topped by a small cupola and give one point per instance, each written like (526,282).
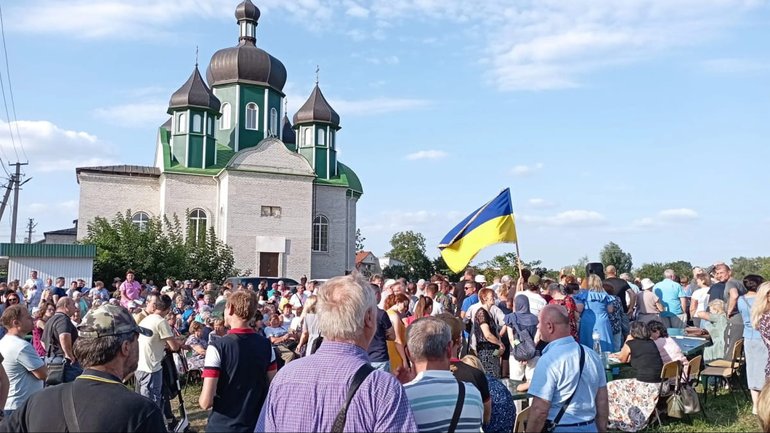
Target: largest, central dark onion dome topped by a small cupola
(245,63)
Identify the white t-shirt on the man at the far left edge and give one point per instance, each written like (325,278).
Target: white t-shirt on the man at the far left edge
(19,360)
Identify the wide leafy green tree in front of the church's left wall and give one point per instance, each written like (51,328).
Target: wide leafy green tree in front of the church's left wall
(157,250)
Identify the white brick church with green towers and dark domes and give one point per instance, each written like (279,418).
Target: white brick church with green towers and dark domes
(228,158)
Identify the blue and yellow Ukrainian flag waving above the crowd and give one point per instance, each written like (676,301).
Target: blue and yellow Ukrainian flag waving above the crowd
(490,224)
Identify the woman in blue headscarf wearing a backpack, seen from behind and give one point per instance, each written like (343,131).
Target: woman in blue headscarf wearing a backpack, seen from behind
(526,322)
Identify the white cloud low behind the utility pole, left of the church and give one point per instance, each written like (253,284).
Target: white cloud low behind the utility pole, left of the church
(51,148)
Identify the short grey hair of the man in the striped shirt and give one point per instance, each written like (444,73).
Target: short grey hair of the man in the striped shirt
(428,339)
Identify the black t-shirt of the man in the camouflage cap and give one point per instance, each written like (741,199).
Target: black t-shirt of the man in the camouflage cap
(102,403)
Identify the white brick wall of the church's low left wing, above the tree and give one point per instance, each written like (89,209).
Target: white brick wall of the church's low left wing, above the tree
(106,195)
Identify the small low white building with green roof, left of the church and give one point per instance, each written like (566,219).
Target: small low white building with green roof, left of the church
(50,260)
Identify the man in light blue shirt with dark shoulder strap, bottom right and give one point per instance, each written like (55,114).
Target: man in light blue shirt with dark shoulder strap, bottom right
(558,376)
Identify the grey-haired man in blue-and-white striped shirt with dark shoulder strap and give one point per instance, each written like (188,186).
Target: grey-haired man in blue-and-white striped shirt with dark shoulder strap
(434,392)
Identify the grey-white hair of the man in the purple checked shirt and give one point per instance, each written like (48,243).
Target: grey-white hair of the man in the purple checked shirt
(342,304)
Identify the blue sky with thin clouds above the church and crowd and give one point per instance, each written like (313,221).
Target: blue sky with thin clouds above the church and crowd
(639,122)
